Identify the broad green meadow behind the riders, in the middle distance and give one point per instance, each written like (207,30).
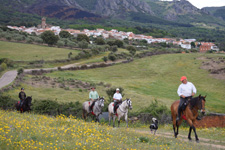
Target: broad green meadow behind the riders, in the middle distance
(144,80)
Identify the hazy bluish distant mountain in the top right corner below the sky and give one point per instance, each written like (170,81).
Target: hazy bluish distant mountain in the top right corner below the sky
(216,11)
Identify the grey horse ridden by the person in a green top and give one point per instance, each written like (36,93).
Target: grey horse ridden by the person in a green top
(96,111)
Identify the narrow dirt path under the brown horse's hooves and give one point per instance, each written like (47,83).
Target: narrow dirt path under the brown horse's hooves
(203,141)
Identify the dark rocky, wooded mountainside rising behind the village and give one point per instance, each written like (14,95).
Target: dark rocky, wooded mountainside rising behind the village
(178,17)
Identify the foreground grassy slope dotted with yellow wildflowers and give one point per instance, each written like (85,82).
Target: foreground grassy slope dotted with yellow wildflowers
(29,131)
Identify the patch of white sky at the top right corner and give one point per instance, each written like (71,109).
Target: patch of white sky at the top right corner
(205,3)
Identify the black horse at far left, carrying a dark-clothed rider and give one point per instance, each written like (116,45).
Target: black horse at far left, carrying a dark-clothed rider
(25,106)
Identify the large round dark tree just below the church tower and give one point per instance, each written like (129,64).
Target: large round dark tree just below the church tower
(49,37)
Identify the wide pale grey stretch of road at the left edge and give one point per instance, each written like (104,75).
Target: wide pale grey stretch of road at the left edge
(7,78)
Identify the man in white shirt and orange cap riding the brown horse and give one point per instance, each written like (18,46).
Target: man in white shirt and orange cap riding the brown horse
(186,90)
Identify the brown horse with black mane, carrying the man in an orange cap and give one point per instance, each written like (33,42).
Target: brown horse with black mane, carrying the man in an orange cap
(190,114)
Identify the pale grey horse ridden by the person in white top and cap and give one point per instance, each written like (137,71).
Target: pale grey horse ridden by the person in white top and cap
(121,111)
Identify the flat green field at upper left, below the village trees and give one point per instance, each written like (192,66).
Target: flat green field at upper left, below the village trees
(30,52)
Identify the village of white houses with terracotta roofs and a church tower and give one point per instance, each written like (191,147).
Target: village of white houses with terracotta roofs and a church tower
(120,35)
